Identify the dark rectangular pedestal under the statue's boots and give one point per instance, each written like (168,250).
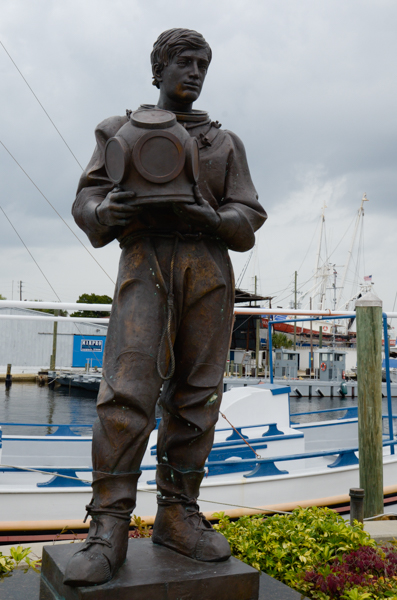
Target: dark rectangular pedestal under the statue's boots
(152,572)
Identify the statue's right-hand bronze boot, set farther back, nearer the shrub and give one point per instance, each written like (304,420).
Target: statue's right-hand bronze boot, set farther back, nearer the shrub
(179,524)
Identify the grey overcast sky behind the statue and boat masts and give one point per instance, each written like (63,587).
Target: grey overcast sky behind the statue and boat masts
(309,86)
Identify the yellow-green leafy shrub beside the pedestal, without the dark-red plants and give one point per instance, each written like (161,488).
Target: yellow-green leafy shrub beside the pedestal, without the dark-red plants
(286,546)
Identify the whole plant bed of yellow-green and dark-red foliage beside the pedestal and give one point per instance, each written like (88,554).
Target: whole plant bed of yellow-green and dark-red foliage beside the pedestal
(316,552)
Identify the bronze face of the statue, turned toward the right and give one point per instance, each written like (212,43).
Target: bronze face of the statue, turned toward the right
(182,80)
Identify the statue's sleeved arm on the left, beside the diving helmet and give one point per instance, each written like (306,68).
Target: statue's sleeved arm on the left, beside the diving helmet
(94,186)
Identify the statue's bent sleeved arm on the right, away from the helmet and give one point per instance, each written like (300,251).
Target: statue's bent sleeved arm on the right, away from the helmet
(240,212)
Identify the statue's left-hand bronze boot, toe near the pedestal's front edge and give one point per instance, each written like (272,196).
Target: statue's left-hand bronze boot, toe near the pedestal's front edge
(105,549)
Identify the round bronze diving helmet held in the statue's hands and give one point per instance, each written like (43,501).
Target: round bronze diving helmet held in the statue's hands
(153,156)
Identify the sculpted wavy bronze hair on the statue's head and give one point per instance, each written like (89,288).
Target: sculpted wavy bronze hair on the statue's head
(172,42)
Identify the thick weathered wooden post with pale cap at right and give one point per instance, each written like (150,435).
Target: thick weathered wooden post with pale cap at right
(369,388)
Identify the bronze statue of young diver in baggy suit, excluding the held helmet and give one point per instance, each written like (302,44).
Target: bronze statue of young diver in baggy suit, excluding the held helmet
(175,283)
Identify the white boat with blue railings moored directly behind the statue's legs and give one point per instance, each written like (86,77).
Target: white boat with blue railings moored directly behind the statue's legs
(306,464)
